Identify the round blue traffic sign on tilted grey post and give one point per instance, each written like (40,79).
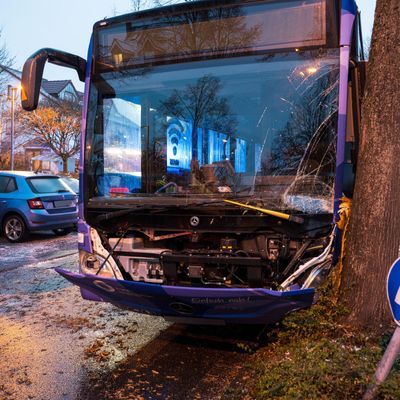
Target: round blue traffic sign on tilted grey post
(393,349)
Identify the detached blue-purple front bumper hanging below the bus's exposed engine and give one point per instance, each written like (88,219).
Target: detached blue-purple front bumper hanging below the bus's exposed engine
(191,304)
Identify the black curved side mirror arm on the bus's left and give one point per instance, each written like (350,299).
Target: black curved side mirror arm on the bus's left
(32,73)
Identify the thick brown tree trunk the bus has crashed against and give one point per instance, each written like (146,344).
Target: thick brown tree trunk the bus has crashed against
(373,241)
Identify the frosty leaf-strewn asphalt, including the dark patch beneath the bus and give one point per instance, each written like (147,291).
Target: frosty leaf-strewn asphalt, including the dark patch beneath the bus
(56,346)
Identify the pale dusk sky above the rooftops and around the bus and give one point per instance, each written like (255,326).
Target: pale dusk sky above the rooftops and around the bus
(29,25)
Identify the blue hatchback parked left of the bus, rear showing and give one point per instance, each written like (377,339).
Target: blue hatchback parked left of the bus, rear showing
(32,202)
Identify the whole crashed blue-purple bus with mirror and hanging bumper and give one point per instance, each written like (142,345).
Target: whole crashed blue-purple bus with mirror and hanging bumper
(218,140)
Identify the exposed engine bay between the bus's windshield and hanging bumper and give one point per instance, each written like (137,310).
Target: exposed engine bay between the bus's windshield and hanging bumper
(265,260)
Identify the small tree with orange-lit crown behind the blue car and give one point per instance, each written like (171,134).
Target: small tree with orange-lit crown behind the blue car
(57,127)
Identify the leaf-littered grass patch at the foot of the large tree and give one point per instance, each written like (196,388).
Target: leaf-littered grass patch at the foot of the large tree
(311,356)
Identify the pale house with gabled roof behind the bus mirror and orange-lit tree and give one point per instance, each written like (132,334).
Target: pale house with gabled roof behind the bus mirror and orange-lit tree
(28,151)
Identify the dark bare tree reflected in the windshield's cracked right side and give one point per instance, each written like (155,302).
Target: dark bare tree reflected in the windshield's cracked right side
(306,145)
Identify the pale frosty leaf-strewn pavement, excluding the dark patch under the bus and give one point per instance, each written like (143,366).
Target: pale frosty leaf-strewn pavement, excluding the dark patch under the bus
(50,339)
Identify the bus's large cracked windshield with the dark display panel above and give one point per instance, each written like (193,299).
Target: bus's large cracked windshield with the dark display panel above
(229,125)
